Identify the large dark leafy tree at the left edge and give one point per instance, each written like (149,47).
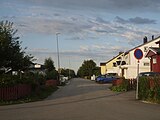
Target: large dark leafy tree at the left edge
(11,53)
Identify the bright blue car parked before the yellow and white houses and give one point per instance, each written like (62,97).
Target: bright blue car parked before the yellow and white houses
(107,78)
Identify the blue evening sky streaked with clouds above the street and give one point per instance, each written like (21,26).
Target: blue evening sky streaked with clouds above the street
(89,29)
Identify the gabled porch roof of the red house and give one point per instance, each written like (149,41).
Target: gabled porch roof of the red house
(152,51)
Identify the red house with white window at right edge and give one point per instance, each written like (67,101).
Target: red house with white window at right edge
(154,56)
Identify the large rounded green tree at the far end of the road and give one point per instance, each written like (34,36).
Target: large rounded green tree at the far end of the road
(87,69)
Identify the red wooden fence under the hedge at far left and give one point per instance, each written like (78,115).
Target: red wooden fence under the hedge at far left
(15,92)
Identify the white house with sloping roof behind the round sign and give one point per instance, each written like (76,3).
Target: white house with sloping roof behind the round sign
(128,65)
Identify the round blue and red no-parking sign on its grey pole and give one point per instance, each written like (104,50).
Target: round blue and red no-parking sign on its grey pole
(138,55)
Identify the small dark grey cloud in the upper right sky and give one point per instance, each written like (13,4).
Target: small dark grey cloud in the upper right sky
(136,20)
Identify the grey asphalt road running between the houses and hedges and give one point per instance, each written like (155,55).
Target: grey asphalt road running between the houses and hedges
(83,100)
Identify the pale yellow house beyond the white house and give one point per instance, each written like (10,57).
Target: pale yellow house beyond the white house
(109,66)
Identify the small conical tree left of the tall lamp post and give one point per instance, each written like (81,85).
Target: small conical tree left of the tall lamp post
(51,72)
